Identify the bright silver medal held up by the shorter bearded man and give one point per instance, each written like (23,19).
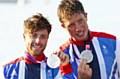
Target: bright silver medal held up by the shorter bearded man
(53,61)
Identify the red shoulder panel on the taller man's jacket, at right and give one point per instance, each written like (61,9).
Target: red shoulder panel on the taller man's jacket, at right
(103,35)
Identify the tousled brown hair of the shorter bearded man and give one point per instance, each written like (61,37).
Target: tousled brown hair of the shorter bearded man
(36,22)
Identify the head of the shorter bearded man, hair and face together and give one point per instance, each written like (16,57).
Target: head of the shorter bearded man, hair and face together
(36,32)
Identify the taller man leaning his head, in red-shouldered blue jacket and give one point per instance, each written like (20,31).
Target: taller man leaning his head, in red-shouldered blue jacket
(99,61)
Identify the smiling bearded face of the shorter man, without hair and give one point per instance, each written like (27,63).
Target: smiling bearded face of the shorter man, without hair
(36,42)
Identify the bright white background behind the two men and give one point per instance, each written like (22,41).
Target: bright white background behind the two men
(103,15)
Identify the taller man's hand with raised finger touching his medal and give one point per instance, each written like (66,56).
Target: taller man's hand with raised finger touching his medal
(84,71)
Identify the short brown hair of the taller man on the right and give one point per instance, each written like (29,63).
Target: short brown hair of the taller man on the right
(67,8)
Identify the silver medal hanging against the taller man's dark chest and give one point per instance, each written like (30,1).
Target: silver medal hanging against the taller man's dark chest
(87,54)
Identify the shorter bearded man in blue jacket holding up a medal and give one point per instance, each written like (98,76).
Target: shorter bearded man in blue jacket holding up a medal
(33,65)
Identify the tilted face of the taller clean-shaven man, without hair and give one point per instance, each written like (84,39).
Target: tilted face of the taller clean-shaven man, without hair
(77,26)
